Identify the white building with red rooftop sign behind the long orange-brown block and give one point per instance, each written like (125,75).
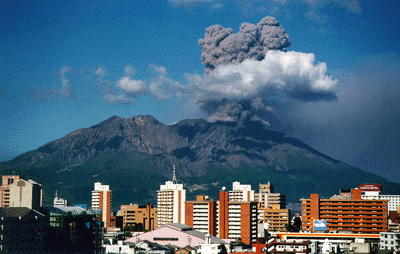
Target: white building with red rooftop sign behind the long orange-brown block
(373,191)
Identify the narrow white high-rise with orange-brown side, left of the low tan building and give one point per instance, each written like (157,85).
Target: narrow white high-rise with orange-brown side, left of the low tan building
(101,200)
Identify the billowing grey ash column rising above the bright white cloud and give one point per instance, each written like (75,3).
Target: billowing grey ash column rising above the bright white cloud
(221,46)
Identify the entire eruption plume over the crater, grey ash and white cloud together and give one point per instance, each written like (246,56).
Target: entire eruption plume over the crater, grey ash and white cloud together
(247,71)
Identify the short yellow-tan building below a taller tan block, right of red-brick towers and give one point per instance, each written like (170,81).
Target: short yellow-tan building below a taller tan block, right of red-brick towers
(275,218)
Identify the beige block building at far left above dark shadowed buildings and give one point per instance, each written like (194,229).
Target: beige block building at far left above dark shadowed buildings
(26,194)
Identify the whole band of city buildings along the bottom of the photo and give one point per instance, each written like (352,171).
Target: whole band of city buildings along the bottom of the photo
(241,220)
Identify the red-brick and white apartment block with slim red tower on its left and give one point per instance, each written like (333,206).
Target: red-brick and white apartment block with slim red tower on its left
(237,219)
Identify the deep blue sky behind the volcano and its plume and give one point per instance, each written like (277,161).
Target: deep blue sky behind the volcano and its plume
(66,65)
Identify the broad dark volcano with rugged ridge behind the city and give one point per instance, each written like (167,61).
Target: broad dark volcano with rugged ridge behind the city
(126,153)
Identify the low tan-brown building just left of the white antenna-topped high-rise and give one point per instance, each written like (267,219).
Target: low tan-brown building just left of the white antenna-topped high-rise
(133,215)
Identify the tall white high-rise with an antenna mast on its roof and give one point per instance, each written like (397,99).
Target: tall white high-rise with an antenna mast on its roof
(171,203)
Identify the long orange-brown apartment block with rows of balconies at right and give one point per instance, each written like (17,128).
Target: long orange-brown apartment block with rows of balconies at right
(346,212)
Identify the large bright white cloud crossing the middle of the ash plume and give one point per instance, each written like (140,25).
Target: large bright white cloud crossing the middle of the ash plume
(288,72)
